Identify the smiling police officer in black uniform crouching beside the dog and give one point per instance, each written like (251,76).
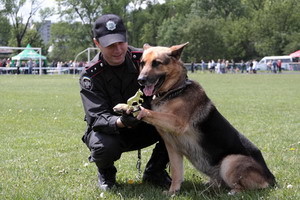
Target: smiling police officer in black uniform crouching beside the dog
(111,78)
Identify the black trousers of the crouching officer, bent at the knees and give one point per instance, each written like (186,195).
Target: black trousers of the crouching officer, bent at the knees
(107,148)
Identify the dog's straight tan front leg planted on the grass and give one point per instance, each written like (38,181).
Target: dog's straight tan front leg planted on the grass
(176,165)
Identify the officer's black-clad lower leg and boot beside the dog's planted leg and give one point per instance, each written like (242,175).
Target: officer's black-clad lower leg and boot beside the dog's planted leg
(155,172)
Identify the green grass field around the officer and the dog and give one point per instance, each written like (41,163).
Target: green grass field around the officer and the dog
(42,156)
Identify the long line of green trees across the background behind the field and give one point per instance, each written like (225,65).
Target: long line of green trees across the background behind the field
(232,29)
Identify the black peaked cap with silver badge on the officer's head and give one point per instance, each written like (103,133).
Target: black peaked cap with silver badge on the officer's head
(109,29)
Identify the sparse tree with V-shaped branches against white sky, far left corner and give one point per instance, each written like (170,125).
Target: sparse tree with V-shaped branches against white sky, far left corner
(20,23)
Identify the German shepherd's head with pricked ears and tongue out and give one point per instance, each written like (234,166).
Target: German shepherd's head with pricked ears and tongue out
(161,68)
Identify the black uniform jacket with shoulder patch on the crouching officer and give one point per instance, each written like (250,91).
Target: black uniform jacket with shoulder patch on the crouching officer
(104,86)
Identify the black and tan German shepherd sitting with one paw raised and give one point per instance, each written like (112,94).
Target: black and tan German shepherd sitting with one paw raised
(191,126)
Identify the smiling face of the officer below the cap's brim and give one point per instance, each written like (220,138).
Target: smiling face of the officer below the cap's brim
(115,53)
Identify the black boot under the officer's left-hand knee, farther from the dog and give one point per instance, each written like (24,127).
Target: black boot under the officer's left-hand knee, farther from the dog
(107,178)
